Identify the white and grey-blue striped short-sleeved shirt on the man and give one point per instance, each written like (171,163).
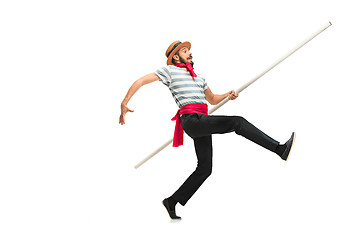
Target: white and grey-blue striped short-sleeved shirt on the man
(182,86)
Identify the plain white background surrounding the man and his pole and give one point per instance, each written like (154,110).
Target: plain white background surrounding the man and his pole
(67,166)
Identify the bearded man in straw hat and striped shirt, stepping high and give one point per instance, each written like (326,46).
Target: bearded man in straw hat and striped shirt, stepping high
(191,94)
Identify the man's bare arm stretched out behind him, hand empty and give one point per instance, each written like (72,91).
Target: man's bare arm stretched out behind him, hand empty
(152,77)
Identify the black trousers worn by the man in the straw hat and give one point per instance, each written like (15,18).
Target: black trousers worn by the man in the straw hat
(200,127)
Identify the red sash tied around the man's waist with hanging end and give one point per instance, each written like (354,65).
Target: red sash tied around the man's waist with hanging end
(188,108)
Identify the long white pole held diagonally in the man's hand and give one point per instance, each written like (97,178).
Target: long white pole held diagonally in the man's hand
(245,85)
